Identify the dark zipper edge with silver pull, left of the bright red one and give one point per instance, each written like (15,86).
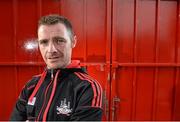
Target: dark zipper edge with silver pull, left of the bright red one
(45,95)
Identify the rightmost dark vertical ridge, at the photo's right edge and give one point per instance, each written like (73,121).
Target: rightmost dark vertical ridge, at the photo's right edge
(173,116)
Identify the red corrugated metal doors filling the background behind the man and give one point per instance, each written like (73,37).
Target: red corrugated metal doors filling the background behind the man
(130,46)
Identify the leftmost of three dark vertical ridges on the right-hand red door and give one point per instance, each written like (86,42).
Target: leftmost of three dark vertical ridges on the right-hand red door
(134,82)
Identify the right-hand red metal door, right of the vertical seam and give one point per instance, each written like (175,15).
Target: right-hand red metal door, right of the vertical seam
(145,42)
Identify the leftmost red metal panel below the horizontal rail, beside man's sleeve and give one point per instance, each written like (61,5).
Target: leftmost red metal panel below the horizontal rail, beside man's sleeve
(7,91)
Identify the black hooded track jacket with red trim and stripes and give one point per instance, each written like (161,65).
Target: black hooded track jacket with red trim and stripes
(61,94)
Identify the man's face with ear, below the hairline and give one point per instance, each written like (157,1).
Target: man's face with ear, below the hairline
(55,45)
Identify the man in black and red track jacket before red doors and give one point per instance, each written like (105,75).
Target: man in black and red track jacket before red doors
(64,91)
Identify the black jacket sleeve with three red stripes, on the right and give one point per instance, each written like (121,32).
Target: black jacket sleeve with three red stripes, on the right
(89,105)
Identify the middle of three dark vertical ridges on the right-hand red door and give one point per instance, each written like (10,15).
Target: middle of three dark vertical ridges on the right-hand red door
(154,102)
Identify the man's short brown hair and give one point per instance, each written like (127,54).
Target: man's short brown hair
(53,19)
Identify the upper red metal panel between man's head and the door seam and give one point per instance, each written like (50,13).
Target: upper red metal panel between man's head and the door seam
(91,33)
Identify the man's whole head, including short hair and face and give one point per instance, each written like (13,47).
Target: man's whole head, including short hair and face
(56,40)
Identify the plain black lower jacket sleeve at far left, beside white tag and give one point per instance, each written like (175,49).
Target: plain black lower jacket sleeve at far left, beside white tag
(19,111)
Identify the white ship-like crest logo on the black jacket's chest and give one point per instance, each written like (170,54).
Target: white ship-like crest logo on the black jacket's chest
(64,108)
